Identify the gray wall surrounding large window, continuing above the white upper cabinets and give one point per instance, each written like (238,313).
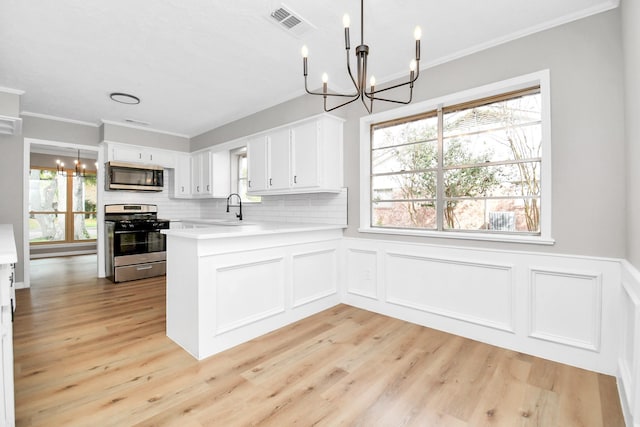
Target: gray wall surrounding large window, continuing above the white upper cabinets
(588,151)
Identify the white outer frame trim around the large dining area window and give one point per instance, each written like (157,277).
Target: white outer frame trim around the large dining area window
(468,97)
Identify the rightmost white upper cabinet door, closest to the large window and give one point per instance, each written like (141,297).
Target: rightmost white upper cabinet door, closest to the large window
(305,156)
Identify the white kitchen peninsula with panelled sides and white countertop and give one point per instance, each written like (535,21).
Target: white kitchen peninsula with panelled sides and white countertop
(229,283)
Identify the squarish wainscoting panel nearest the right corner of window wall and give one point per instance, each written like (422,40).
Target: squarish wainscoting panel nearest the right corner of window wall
(566,307)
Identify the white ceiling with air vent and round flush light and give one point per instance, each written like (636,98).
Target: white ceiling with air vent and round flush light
(199,64)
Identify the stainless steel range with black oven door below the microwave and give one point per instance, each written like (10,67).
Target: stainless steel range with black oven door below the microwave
(136,248)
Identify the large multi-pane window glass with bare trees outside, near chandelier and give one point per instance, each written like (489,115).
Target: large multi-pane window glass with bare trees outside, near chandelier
(468,168)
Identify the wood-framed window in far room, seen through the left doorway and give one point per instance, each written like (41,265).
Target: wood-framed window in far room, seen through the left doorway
(62,208)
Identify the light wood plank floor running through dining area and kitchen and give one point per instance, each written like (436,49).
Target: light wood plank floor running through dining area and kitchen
(90,353)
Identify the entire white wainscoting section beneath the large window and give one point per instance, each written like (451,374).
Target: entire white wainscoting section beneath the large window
(560,307)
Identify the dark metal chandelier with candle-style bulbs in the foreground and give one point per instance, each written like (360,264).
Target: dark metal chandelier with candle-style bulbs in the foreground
(359,83)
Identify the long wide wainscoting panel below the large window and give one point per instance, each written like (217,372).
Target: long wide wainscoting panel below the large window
(437,285)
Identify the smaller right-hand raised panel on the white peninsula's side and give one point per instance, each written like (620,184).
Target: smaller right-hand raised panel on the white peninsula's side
(315,276)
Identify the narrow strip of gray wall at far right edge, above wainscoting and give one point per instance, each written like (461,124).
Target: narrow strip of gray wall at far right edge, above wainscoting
(631,41)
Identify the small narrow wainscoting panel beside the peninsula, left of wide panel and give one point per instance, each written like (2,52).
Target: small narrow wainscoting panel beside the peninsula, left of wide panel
(362,273)
